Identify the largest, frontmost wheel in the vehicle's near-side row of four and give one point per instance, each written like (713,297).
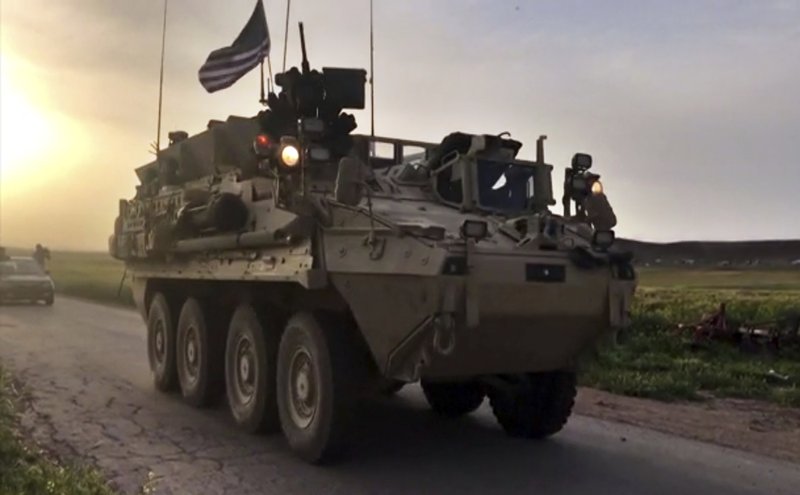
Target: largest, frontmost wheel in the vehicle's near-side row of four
(319,374)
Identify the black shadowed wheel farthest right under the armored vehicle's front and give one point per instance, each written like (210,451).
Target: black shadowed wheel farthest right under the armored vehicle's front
(537,409)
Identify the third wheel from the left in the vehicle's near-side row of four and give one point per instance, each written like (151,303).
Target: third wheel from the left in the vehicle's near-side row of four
(250,359)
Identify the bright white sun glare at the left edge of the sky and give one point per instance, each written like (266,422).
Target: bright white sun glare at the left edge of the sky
(23,127)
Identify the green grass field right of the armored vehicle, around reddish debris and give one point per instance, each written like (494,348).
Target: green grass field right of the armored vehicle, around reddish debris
(655,360)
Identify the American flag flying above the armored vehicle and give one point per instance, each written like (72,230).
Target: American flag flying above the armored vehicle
(225,66)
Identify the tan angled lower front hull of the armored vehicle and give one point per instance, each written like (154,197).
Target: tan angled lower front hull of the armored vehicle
(508,314)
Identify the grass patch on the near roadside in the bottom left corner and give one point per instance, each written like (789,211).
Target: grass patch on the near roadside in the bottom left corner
(24,470)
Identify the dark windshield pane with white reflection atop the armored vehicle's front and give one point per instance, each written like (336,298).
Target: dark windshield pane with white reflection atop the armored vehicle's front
(504,186)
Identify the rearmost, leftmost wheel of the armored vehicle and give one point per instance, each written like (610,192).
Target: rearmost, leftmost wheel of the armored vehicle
(161,344)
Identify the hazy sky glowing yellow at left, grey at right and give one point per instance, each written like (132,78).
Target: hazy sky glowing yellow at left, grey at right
(691,109)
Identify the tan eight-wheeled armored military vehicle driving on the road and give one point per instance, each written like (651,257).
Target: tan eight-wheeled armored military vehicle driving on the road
(296,267)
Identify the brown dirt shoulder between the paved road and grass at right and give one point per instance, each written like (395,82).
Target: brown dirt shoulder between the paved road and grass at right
(749,425)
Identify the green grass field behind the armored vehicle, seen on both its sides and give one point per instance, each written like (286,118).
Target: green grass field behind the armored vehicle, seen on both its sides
(651,360)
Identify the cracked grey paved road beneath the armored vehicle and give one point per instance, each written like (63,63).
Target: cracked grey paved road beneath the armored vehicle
(92,396)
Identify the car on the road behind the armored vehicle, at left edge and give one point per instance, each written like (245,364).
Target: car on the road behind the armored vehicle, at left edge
(23,279)
